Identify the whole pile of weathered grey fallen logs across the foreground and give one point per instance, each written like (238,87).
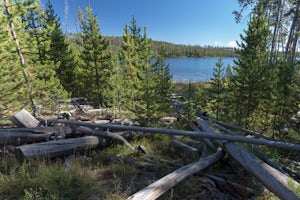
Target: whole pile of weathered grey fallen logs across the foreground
(36,139)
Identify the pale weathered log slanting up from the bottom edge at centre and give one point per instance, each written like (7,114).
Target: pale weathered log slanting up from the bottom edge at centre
(159,187)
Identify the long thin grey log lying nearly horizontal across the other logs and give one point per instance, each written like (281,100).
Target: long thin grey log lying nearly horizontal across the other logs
(217,136)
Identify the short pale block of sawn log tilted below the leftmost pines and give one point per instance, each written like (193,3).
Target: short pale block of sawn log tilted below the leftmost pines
(24,119)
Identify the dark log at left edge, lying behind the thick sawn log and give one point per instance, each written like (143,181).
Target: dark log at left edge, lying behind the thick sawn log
(18,138)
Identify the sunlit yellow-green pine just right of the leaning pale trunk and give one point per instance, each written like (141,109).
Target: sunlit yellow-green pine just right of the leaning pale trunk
(46,85)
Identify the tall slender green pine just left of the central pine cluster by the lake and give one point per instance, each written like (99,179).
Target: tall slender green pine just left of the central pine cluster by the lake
(96,66)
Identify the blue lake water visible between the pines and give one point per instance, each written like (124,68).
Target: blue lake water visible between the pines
(194,69)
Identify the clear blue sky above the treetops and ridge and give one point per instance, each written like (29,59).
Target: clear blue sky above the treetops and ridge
(194,22)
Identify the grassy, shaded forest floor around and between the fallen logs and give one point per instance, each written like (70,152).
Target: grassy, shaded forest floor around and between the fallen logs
(116,172)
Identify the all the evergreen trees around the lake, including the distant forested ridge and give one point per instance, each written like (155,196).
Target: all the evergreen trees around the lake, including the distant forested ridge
(39,64)
